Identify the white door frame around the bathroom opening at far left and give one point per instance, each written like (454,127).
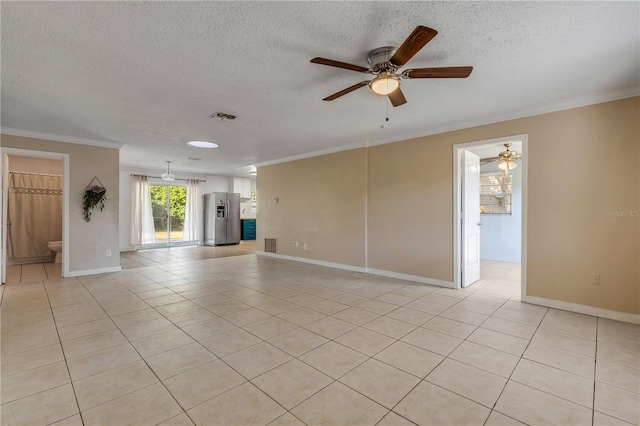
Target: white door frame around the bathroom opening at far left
(65,204)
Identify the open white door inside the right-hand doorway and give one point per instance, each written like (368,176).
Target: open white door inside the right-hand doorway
(470,218)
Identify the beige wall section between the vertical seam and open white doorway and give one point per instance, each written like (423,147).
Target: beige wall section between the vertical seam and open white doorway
(416,240)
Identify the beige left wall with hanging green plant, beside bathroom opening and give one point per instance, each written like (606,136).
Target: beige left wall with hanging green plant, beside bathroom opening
(88,241)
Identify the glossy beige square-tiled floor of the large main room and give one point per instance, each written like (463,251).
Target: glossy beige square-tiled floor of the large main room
(251,340)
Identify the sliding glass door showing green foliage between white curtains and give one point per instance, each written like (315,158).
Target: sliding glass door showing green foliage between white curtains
(168,204)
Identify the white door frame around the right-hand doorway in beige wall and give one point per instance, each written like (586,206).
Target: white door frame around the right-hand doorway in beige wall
(457,205)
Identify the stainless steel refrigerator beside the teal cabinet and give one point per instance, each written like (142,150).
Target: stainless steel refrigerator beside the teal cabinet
(221,218)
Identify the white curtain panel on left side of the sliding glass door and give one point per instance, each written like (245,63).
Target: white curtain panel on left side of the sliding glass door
(142,228)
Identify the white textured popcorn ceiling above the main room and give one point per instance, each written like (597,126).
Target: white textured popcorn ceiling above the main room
(148,74)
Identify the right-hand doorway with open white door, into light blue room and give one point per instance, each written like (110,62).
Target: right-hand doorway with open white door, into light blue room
(490,218)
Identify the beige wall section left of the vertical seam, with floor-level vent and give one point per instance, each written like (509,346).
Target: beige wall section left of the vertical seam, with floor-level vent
(320,203)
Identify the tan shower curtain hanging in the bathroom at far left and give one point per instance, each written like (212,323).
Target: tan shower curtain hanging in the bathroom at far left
(34,215)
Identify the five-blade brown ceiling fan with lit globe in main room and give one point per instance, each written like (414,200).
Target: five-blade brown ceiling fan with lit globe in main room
(385,62)
